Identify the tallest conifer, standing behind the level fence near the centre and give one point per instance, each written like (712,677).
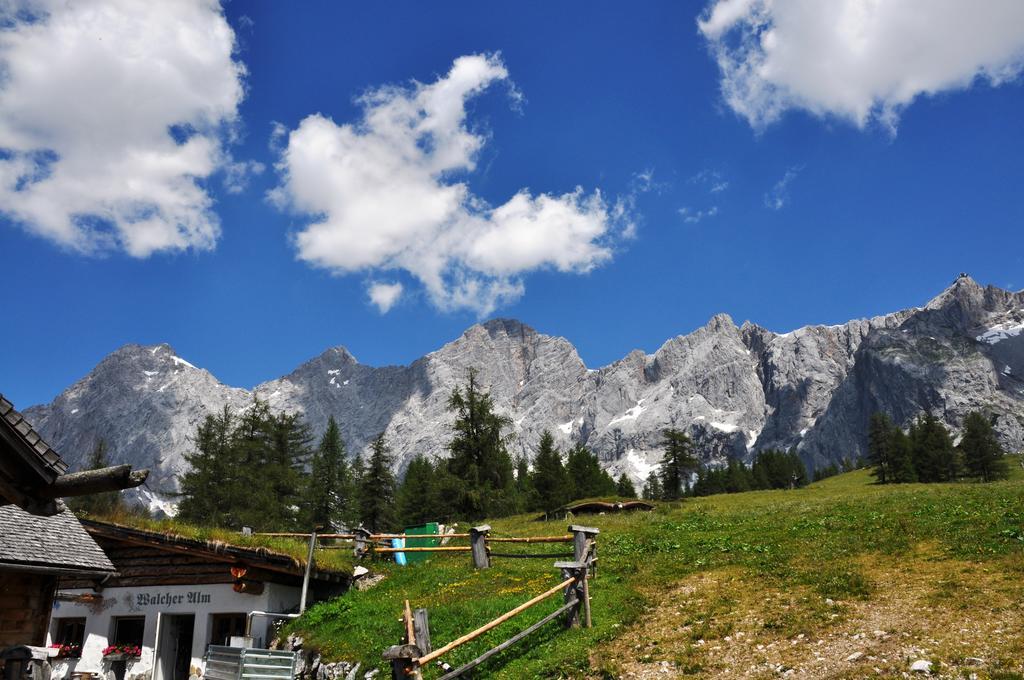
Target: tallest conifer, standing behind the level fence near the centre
(479,454)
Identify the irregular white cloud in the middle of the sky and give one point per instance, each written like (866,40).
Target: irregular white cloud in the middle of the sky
(390,193)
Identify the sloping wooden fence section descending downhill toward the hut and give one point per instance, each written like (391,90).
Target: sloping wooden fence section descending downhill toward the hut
(415,653)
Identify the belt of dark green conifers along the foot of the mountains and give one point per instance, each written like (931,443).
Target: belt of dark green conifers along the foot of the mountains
(265,471)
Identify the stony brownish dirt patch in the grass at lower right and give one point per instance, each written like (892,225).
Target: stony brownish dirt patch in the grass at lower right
(870,618)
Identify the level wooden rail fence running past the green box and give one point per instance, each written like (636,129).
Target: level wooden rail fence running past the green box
(366,544)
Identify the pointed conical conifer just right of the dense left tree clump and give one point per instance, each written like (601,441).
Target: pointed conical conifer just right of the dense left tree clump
(329,492)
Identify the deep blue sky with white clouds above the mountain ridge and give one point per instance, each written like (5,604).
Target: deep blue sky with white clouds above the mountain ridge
(784,199)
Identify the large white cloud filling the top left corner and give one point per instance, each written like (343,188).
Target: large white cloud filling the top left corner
(111,116)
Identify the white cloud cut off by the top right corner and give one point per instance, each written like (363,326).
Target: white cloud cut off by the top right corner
(859,60)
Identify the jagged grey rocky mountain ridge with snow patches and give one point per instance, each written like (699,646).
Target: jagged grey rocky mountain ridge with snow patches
(737,390)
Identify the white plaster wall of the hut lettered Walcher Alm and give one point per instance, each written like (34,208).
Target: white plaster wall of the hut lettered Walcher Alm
(125,603)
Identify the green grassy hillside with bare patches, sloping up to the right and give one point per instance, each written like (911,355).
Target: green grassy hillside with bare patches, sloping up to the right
(747,585)
